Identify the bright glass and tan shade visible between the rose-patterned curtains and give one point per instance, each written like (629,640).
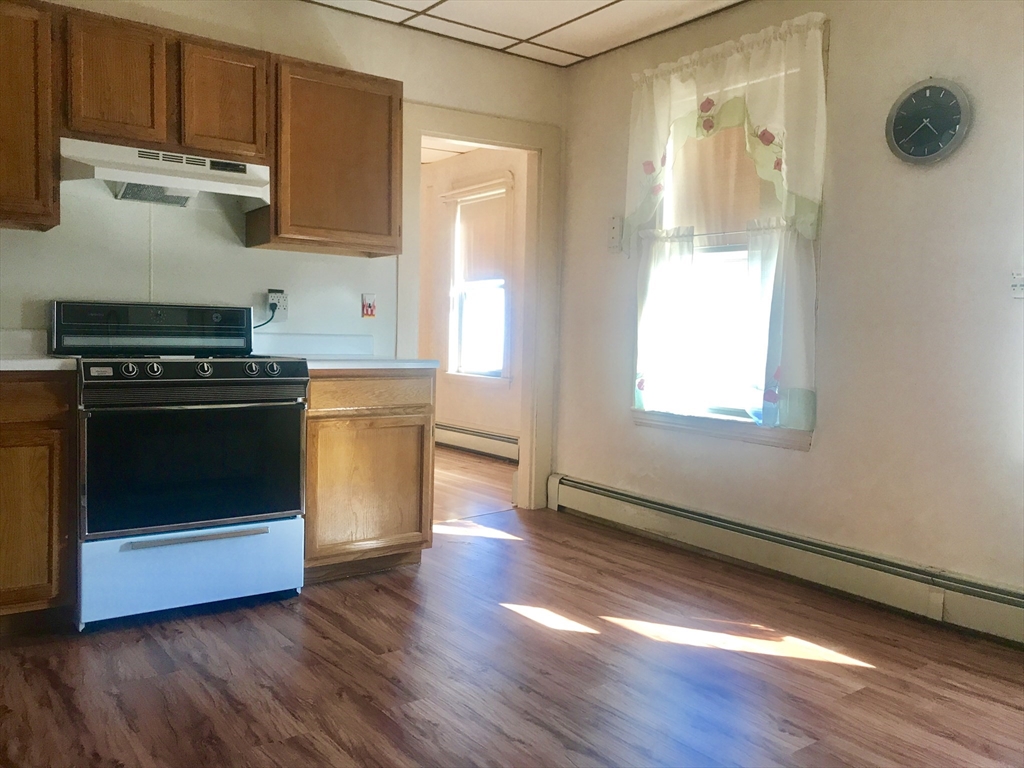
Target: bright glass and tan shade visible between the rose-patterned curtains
(704,331)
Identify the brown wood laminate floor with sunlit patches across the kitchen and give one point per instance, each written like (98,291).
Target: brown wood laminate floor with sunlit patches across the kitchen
(649,656)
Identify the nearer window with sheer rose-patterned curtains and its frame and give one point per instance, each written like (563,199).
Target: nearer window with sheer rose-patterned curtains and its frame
(726,177)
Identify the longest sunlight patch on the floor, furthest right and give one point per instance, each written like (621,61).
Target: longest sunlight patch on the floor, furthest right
(790,648)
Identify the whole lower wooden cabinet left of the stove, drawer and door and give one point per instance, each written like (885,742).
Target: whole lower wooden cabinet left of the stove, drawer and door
(36,436)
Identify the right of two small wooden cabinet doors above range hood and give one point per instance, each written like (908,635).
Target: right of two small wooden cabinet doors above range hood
(224,100)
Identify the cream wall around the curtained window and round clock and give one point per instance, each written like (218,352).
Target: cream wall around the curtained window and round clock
(919,451)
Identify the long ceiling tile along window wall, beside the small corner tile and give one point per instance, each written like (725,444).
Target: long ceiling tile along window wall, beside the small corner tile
(625,22)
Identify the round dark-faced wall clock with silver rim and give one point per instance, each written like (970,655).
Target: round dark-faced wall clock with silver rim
(929,121)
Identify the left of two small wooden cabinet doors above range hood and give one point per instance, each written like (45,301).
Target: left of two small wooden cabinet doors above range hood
(117,79)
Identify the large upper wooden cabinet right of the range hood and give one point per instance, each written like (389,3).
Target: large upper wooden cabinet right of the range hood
(338,185)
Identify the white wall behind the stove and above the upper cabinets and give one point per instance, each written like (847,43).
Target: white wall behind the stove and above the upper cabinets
(102,249)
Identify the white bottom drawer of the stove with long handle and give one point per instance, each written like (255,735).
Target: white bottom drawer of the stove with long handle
(141,574)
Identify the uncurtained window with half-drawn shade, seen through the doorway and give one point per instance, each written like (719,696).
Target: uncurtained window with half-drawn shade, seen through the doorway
(479,321)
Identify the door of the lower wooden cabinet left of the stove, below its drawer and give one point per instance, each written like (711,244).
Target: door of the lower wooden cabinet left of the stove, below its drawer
(31,470)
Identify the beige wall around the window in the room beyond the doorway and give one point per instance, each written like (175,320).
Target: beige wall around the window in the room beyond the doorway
(475,402)
